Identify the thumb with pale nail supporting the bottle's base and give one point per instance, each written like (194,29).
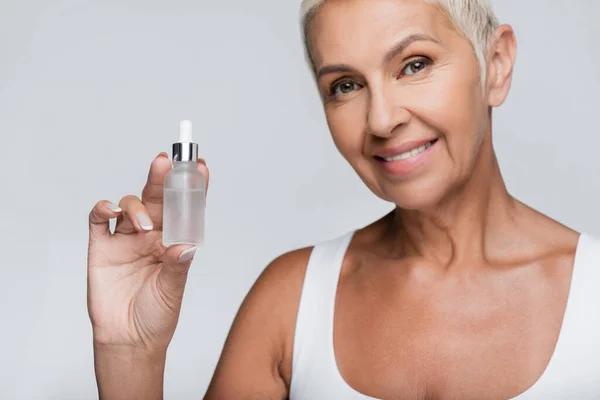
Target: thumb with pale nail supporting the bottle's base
(173,274)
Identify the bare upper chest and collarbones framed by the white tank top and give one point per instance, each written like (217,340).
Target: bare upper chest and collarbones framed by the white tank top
(408,327)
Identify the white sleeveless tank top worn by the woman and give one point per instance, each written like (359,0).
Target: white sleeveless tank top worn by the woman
(573,371)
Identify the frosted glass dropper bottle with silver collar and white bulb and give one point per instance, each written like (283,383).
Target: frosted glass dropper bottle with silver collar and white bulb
(184,193)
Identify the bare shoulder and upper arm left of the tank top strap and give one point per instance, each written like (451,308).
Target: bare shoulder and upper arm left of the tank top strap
(256,358)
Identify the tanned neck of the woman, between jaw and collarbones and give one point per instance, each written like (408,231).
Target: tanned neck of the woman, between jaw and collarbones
(459,229)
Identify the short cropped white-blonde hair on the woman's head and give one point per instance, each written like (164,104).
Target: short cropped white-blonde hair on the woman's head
(474,19)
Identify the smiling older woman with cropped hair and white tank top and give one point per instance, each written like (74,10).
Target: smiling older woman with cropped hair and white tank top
(459,293)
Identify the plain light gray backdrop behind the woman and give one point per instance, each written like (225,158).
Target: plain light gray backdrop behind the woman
(91,91)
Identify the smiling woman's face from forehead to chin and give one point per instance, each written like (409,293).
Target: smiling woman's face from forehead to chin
(402,95)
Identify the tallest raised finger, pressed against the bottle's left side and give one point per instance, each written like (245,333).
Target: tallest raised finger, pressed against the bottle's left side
(152,194)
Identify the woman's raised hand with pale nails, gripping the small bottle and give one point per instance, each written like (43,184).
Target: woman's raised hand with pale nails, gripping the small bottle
(135,284)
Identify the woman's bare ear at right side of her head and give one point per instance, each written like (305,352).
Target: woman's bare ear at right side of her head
(501,60)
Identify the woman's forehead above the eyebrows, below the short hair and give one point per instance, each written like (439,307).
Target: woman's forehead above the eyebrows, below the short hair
(347,29)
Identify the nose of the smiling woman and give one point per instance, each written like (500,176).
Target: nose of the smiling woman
(386,113)
